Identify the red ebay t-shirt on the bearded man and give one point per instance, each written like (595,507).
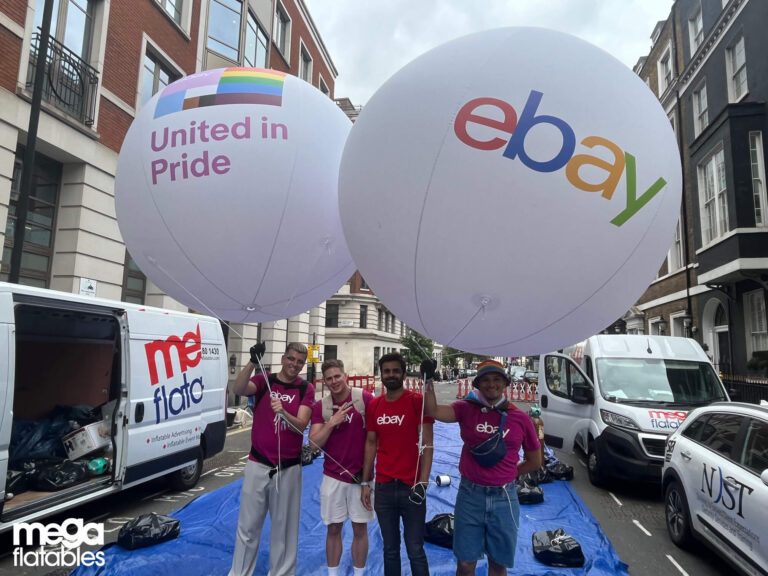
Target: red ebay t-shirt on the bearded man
(397,426)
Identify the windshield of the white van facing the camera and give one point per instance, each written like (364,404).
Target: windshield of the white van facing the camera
(658,381)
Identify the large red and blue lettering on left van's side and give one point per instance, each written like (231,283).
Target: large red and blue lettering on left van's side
(181,392)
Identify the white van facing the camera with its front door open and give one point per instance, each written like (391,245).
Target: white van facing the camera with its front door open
(622,400)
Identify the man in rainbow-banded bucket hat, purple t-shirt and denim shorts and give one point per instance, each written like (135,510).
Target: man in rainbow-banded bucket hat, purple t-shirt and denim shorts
(493,430)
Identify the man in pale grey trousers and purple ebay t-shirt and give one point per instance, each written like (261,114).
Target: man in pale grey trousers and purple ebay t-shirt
(272,478)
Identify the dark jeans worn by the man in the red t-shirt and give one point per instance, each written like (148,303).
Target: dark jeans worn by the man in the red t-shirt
(391,503)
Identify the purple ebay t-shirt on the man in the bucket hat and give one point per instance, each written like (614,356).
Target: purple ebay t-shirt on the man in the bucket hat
(476,426)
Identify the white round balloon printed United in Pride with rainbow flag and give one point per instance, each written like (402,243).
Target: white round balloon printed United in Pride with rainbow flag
(227,194)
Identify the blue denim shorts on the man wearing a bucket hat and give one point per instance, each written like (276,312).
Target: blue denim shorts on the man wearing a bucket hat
(486,523)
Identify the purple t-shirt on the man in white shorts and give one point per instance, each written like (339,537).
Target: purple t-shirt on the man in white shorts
(346,444)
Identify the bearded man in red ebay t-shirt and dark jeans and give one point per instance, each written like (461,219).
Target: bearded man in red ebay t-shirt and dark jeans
(397,431)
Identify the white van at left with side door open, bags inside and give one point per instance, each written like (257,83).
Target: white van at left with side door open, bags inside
(153,380)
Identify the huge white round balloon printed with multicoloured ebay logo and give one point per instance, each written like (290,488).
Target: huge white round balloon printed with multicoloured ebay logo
(510,192)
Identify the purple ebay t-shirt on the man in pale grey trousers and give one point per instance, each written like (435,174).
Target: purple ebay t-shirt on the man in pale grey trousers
(264,436)
